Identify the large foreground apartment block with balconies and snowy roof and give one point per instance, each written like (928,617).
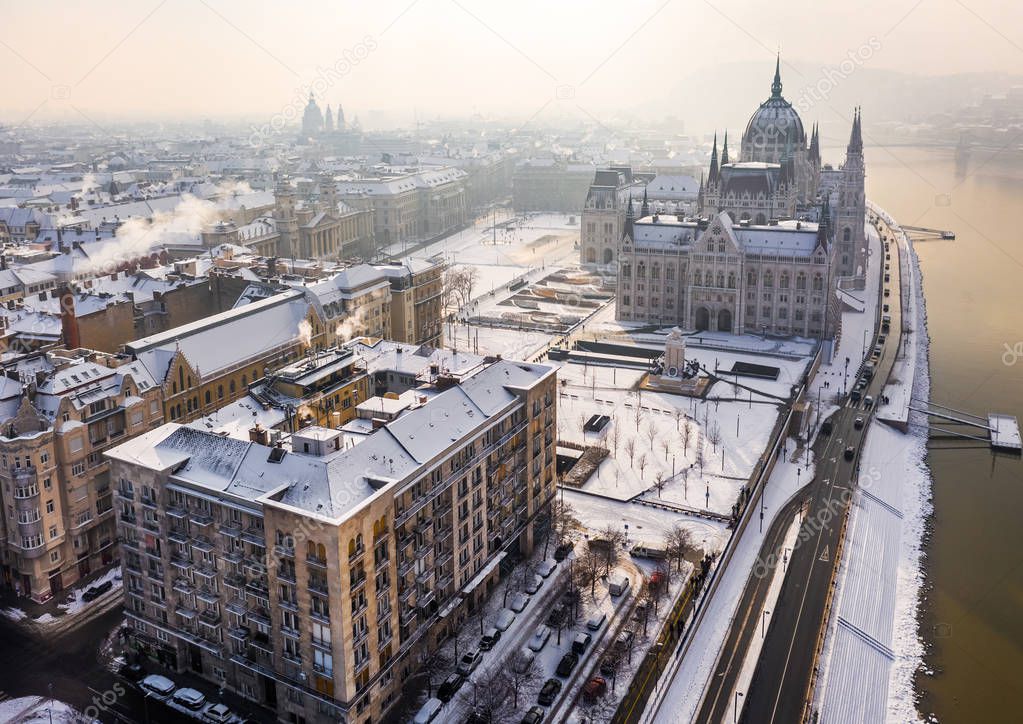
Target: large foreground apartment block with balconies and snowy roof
(309,575)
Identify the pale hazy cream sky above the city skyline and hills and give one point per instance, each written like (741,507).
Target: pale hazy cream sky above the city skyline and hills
(242,59)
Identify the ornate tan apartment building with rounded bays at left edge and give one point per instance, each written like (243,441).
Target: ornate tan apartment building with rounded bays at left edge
(61,412)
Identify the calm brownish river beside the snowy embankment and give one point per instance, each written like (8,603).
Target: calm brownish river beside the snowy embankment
(973,599)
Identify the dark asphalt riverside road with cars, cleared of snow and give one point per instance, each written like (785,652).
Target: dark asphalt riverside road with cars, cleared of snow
(783,677)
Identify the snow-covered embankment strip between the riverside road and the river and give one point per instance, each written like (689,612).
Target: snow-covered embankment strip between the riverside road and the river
(873,649)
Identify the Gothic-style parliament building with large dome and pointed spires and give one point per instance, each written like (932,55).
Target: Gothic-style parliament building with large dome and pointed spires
(775,231)
